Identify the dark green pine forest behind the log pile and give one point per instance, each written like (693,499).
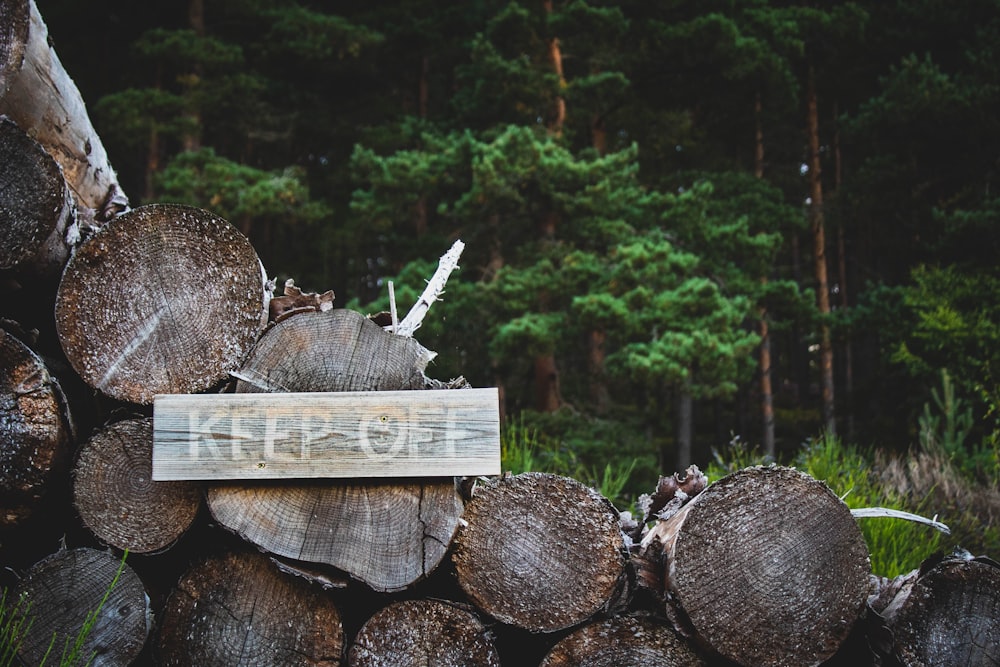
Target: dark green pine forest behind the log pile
(687,223)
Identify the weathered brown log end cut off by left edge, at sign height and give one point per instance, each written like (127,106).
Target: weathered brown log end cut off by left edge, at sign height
(35,431)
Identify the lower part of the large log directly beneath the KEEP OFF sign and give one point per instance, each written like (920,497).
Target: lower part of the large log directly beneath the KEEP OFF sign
(388,535)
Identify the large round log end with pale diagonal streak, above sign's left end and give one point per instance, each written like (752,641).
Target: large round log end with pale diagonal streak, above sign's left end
(163,299)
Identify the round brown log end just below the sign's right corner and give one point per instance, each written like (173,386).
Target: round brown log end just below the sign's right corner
(540,552)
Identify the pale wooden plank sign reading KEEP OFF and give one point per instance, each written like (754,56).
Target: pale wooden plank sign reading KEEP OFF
(432,433)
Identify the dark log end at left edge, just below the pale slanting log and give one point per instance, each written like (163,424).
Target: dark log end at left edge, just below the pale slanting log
(37,214)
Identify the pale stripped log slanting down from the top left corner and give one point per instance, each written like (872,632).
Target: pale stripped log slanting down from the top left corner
(38,95)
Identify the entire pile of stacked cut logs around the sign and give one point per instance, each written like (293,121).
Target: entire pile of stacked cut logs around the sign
(764,567)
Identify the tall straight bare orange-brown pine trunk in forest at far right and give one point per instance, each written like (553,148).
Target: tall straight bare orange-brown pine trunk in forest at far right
(817,221)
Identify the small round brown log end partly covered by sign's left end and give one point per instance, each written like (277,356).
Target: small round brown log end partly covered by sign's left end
(117,499)
